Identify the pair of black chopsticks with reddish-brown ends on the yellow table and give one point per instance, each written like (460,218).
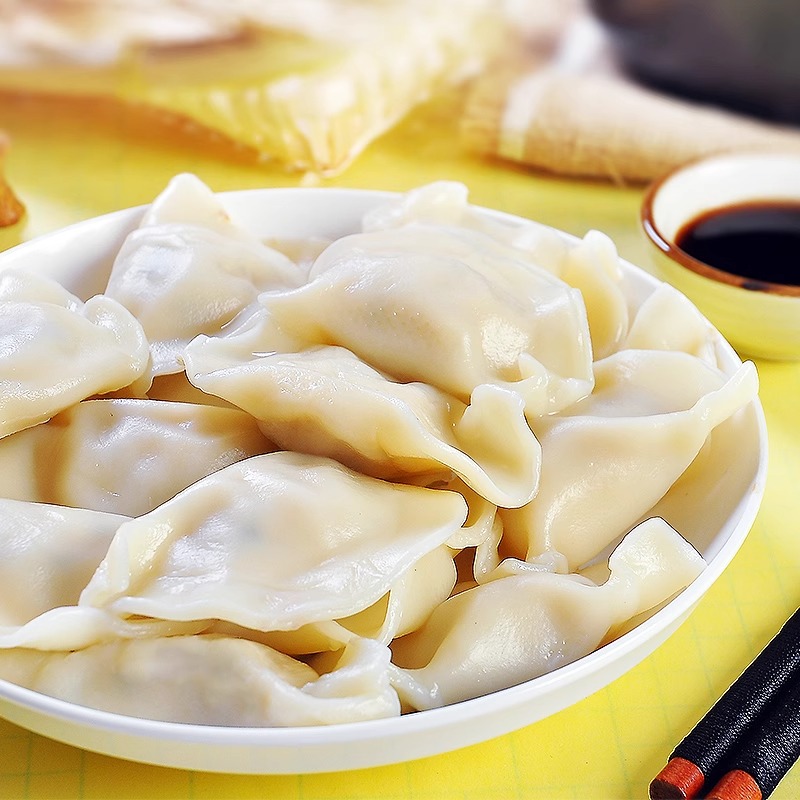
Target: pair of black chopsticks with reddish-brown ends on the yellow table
(751,736)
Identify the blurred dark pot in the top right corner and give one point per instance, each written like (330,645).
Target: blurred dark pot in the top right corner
(740,53)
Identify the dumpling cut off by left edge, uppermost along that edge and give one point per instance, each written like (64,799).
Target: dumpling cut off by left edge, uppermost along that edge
(56,350)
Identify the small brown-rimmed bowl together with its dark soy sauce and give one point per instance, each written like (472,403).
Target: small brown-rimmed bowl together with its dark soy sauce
(726,232)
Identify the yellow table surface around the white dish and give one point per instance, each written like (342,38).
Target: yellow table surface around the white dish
(68,164)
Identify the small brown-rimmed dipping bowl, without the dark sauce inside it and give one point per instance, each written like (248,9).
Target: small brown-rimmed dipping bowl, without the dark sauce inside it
(758,318)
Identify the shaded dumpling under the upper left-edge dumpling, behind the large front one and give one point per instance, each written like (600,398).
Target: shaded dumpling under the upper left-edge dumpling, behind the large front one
(124,456)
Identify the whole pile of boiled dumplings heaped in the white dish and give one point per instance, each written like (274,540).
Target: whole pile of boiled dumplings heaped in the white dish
(271,484)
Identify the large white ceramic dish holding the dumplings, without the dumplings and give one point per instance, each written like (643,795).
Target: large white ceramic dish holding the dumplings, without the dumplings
(716,520)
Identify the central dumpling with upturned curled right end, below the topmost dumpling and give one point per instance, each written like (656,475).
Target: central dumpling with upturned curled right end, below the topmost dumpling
(326,401)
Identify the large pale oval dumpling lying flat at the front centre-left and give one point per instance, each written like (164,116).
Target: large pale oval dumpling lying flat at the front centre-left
(273,543)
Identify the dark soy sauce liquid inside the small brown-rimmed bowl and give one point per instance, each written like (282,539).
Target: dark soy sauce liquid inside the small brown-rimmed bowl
(759,241)
